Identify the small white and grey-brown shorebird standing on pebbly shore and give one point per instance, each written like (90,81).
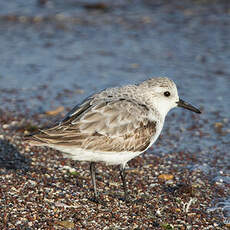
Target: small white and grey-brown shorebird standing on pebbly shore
(114,125)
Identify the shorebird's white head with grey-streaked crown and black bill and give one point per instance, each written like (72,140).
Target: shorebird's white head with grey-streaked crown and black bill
(164,96)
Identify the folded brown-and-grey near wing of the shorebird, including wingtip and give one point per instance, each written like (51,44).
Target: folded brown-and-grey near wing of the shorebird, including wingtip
(118,125)
